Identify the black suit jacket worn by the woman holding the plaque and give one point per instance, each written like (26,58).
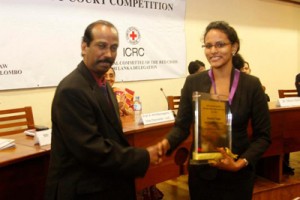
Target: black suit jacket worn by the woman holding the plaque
(249,103)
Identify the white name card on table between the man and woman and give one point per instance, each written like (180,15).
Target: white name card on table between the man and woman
(156,117)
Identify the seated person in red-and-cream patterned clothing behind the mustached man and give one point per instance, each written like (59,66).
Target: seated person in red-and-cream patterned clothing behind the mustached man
(125,98)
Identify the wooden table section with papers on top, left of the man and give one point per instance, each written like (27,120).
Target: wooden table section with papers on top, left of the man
(23,169)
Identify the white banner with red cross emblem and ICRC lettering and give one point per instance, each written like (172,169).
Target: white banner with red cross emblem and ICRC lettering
(41,39)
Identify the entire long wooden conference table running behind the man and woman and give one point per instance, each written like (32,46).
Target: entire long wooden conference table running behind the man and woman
(23,168)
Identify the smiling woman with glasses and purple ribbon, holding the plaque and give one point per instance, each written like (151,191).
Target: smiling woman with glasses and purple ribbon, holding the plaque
(227,179)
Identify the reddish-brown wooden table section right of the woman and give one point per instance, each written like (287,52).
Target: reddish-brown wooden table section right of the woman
(285,135)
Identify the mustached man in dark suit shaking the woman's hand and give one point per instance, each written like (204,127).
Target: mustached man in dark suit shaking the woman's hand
(90,156)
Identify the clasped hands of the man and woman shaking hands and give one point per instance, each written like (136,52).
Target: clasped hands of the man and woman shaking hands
(157,151)
